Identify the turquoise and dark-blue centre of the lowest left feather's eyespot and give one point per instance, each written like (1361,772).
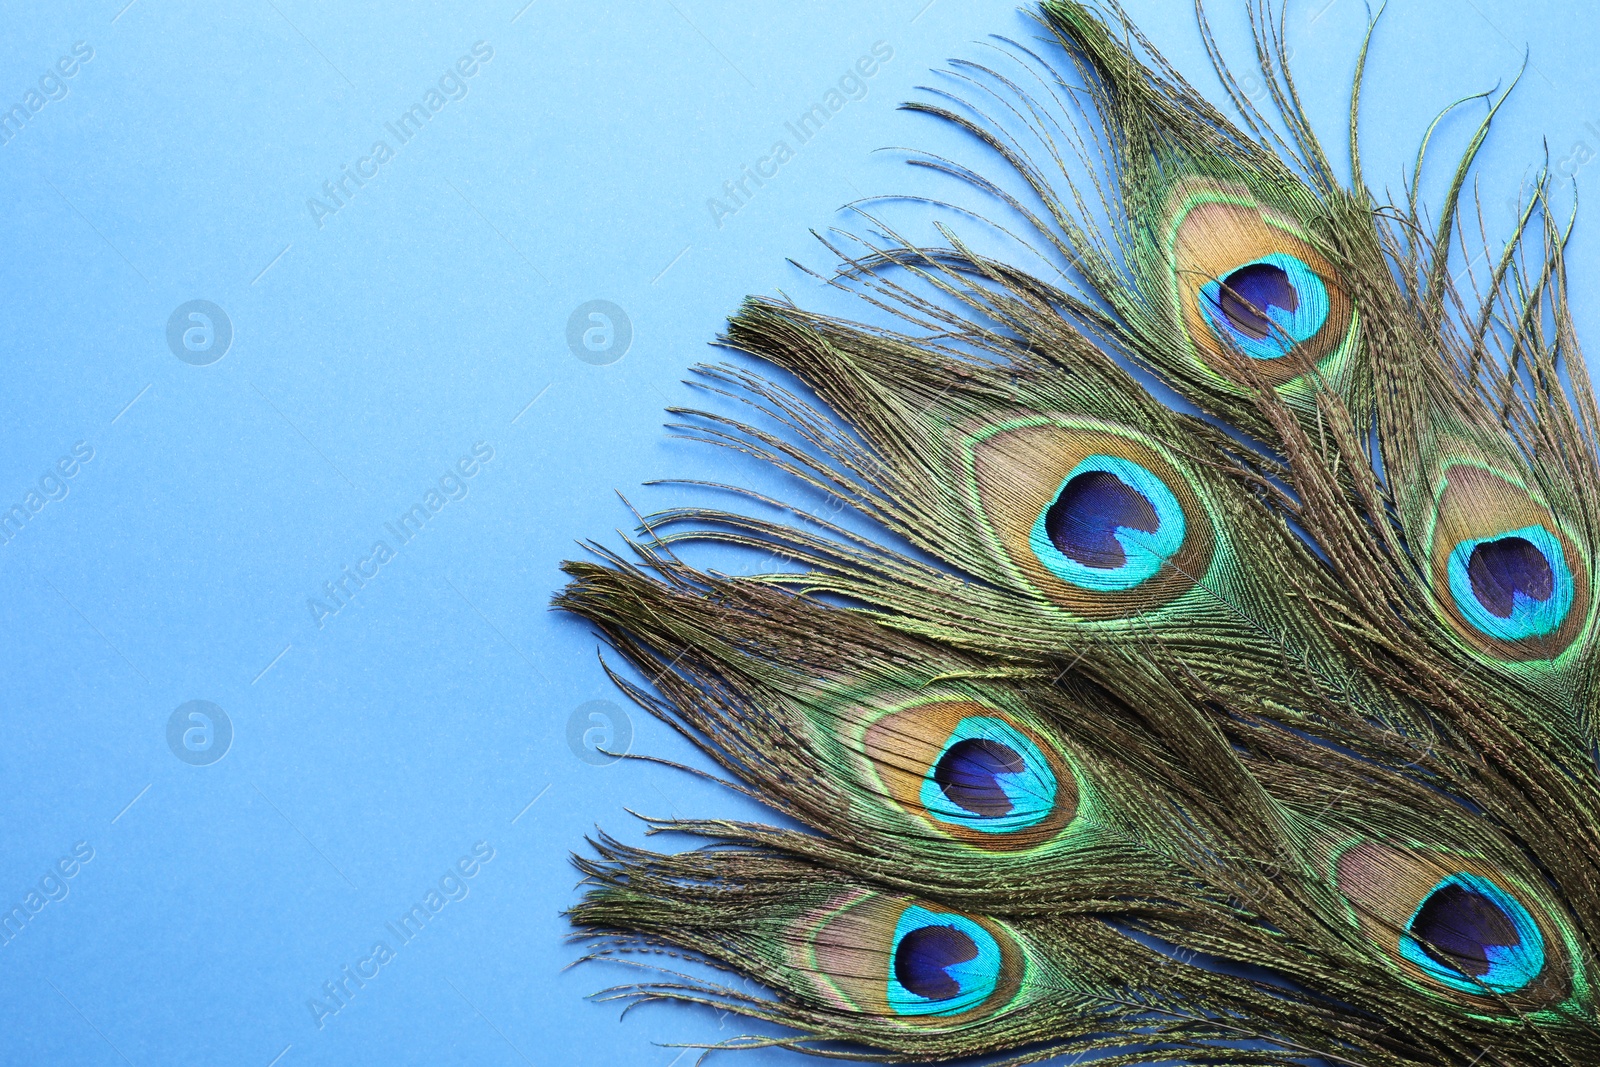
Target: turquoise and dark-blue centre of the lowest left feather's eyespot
(942,964)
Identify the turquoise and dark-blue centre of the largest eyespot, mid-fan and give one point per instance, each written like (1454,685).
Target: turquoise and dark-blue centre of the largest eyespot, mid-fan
(1113,526)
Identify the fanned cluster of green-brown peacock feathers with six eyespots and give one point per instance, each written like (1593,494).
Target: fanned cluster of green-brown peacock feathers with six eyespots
(1254,733)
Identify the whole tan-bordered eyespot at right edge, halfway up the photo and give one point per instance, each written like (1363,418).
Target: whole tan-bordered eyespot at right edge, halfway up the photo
(1510,578)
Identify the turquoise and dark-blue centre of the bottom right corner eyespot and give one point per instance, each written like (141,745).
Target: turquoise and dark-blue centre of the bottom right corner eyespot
(1473,937)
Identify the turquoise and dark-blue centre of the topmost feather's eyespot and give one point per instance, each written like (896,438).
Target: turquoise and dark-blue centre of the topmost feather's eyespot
(1266,306)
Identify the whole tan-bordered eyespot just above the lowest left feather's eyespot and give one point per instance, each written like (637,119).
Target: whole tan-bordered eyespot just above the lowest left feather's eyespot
(974,773)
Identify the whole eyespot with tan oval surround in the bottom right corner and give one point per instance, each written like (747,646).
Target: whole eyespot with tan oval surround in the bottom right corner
(1455,925)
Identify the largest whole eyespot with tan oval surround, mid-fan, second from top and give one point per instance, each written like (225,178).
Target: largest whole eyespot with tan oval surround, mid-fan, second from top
(1092,516)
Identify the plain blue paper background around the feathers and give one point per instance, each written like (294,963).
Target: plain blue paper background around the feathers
(426,316)
